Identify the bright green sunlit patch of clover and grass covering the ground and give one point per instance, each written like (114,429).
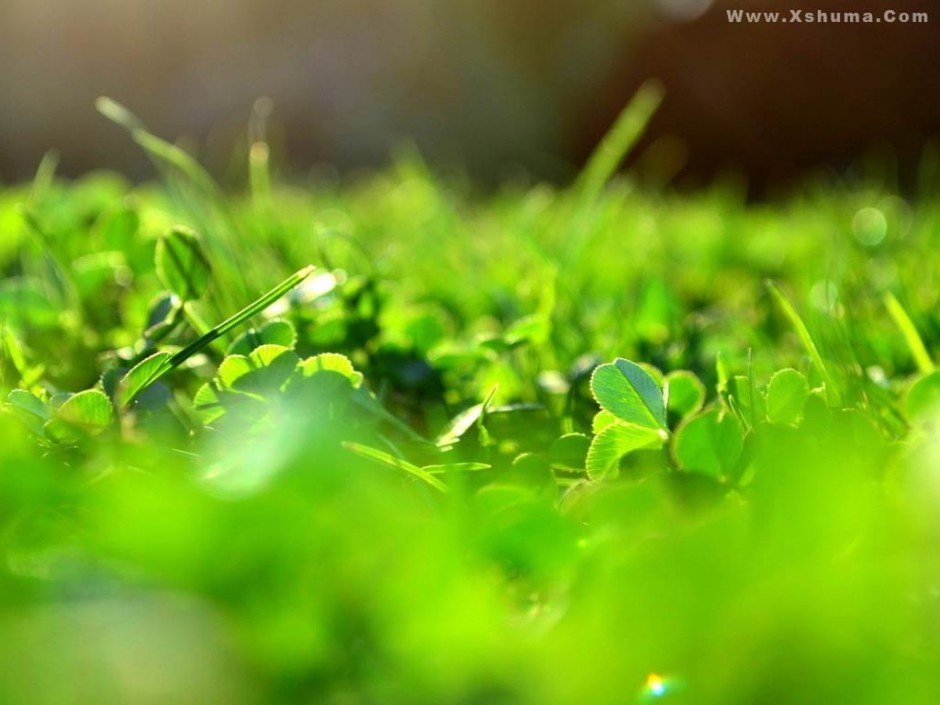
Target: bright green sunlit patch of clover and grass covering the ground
(592,445)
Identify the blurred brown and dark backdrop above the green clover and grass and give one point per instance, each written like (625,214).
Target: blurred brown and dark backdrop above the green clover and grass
(493,87)
